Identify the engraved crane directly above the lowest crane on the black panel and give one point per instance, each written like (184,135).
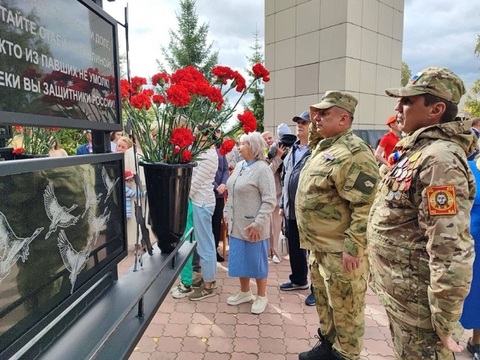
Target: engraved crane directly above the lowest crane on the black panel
(59,215)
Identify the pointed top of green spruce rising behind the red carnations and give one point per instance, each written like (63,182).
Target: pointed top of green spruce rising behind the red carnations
(189,45)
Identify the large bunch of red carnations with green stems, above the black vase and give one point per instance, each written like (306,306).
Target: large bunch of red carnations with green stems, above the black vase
(167,117)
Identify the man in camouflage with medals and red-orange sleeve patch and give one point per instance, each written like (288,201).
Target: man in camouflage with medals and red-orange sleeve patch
(420,248)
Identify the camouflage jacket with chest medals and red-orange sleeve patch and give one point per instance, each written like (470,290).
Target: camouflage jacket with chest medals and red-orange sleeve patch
(420,248)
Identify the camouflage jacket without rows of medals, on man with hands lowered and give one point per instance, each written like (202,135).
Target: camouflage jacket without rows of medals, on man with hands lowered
(334,195)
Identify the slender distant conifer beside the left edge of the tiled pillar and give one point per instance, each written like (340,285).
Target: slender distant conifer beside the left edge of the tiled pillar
(256,105)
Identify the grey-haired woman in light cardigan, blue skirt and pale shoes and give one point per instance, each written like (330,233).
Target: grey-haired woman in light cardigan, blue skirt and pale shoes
(251,199)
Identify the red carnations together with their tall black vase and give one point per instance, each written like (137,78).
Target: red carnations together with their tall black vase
(180,116)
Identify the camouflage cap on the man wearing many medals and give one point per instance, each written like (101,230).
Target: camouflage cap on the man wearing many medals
(438,81)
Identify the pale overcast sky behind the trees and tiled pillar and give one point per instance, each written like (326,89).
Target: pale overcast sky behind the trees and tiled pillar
(436,32)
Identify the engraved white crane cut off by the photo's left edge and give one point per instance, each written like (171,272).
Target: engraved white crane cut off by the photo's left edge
(12,247)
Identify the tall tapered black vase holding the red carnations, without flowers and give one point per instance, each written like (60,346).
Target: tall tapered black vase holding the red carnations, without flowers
(168,187)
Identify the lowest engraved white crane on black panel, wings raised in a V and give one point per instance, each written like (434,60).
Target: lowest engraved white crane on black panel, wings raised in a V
(73,260)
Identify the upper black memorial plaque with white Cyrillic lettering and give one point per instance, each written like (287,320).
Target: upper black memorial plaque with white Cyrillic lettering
(58,65)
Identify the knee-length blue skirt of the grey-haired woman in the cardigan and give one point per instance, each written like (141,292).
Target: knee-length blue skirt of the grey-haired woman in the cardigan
(247,259)
